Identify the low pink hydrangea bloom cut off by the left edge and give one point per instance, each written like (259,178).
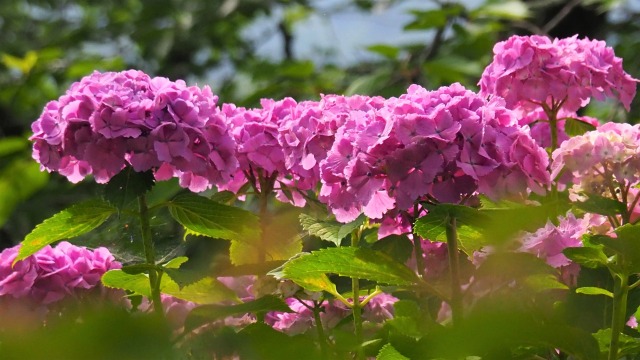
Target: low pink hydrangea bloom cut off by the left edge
(53,273)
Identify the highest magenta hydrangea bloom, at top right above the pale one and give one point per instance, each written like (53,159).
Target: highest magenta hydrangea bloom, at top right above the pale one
(531,70)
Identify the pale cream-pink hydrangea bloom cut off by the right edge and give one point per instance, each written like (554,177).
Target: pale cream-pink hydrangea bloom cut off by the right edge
(604,162)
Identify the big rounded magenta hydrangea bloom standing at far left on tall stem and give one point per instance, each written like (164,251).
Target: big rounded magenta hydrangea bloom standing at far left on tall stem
(115,119)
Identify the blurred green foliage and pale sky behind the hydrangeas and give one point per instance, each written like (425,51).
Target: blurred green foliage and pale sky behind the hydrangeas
(250,49)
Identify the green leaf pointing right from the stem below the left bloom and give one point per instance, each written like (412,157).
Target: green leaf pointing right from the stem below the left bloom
(201,216)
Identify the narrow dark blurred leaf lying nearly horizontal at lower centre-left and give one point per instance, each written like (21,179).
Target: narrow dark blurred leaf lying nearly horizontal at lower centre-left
(209,313)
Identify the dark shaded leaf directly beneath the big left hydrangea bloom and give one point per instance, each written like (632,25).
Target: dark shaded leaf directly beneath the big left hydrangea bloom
(127,185)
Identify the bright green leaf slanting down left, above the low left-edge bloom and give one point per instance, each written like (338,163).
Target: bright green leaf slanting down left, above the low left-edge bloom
(74,221)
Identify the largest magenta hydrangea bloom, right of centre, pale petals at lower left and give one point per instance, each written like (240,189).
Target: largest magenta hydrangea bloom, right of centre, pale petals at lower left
(444,144)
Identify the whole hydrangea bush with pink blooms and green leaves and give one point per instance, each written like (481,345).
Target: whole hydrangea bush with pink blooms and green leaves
(453,224)
